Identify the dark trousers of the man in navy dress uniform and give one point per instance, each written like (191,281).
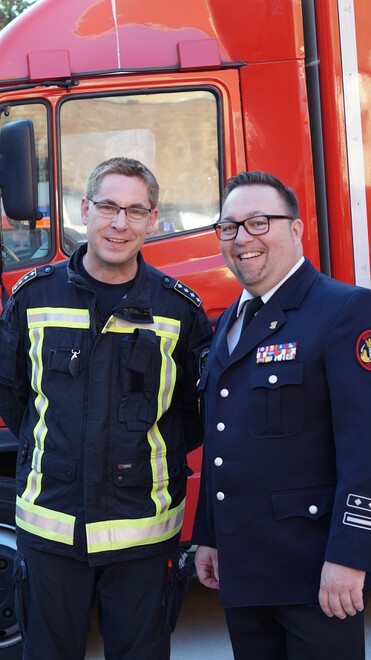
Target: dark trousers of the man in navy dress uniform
(294,632)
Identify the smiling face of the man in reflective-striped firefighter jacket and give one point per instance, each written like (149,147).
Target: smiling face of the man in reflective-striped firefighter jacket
(113,244)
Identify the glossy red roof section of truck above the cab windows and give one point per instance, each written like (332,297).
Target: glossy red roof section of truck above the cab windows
(53,39)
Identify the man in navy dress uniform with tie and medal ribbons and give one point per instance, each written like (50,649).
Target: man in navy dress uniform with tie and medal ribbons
(284,517)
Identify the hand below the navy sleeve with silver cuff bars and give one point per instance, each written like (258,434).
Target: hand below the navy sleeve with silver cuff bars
(340,591)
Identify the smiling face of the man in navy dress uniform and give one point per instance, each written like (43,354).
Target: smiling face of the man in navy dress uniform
(260,262)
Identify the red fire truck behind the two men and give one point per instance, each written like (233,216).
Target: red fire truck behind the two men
(198,90)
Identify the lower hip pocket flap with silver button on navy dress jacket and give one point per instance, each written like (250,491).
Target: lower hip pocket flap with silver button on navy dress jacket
(308,503)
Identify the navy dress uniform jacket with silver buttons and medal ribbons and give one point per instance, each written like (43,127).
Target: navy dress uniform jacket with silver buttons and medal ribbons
(287,459)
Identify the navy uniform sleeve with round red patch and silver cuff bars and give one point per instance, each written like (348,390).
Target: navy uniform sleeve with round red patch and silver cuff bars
(348,370)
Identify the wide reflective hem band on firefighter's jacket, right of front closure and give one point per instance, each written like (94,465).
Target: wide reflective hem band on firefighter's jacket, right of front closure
(121,534)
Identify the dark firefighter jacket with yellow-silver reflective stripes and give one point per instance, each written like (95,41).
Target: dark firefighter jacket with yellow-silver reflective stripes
(105,417)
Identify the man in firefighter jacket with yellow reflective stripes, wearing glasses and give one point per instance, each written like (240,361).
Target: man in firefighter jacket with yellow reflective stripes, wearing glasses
(99,362)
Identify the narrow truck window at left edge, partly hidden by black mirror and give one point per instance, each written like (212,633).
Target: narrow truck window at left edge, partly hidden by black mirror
(25,242)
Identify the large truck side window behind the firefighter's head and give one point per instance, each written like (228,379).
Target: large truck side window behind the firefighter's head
(173,133)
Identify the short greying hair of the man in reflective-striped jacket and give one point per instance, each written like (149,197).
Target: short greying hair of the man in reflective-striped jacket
(127,167)
